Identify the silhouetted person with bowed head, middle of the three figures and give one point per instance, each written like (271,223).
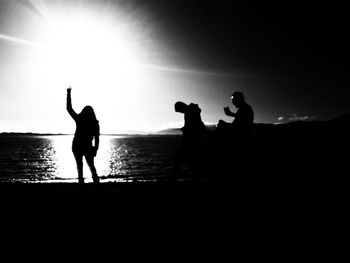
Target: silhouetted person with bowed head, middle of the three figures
(193,131)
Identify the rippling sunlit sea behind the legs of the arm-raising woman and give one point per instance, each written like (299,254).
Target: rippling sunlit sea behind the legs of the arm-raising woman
(29,158)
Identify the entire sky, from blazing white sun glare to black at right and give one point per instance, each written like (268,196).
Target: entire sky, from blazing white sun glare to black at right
(133,59)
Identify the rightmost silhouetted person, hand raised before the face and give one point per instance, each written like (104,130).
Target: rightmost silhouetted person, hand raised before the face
(235,139)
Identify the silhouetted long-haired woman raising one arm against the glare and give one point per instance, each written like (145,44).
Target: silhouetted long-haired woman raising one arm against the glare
(87,130)
